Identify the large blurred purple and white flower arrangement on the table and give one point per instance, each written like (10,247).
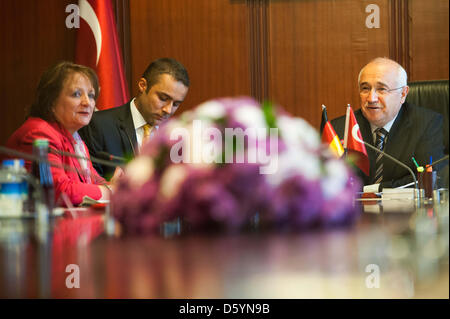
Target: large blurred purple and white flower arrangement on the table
(228,161)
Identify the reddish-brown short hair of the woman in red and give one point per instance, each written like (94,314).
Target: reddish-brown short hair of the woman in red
(51,84)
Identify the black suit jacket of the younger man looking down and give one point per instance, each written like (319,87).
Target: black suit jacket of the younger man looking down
(111,131)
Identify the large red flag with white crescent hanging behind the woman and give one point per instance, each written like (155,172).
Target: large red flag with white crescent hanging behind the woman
(98,47)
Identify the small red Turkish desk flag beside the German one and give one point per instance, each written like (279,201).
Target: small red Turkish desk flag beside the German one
(353,144)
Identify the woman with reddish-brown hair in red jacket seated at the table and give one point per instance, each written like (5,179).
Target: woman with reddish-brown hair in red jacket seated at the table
(64,103)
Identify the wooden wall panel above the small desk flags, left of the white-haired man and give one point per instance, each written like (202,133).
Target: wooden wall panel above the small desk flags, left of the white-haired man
(317,49)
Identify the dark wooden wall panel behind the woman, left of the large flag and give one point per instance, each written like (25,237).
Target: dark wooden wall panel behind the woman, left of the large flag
(33,36)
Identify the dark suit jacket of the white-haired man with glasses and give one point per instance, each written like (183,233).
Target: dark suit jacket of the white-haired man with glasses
(415,132)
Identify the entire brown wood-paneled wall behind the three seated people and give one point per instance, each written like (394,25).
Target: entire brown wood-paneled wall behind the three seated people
(298,53)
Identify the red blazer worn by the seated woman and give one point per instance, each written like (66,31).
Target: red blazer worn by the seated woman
(67,181)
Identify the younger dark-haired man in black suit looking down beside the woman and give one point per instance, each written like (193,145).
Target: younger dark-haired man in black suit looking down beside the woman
(121,131)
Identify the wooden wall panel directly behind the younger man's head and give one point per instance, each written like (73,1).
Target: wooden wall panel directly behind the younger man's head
(209,37)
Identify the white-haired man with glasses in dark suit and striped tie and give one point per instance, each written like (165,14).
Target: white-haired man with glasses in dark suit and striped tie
(404,131)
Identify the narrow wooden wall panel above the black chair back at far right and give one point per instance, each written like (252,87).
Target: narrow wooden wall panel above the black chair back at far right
(428,39)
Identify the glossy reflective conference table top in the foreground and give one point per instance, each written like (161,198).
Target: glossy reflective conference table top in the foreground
(401,253)
